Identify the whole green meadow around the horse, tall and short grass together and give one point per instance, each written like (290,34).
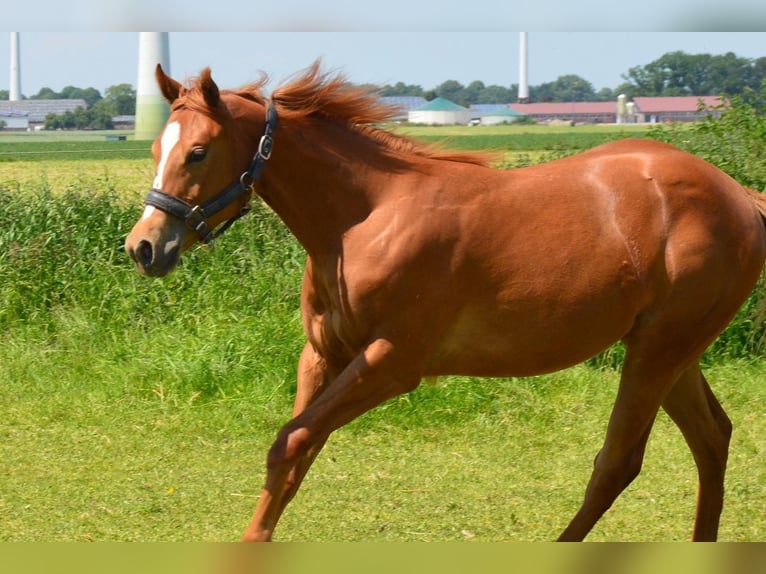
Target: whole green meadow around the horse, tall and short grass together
(134,409)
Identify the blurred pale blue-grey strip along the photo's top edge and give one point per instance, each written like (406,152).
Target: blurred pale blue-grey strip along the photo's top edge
(386,15)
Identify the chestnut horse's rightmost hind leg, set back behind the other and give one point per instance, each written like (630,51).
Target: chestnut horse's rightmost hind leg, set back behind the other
(707,430)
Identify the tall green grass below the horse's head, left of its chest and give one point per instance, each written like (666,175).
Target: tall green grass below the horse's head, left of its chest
(67,286)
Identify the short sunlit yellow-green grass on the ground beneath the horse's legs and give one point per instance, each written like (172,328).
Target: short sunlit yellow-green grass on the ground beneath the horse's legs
(467,460)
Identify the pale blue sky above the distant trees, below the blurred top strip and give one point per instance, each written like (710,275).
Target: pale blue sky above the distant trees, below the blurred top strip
(100,59)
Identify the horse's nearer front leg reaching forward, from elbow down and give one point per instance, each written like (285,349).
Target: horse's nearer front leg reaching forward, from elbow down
(375,375)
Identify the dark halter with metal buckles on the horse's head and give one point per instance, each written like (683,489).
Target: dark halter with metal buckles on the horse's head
(195,216)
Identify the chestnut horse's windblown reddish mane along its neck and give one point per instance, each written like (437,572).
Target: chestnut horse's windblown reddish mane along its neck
(318,94)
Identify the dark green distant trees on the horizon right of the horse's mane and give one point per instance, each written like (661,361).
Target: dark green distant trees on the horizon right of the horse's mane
(672,74)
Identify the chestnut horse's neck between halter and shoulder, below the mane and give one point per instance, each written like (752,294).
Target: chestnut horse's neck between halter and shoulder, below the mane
(317,189)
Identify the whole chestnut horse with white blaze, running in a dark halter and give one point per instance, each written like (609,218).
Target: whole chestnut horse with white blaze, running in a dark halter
(423,263)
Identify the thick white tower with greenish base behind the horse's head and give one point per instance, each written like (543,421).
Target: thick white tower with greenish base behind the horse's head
(152,110)
